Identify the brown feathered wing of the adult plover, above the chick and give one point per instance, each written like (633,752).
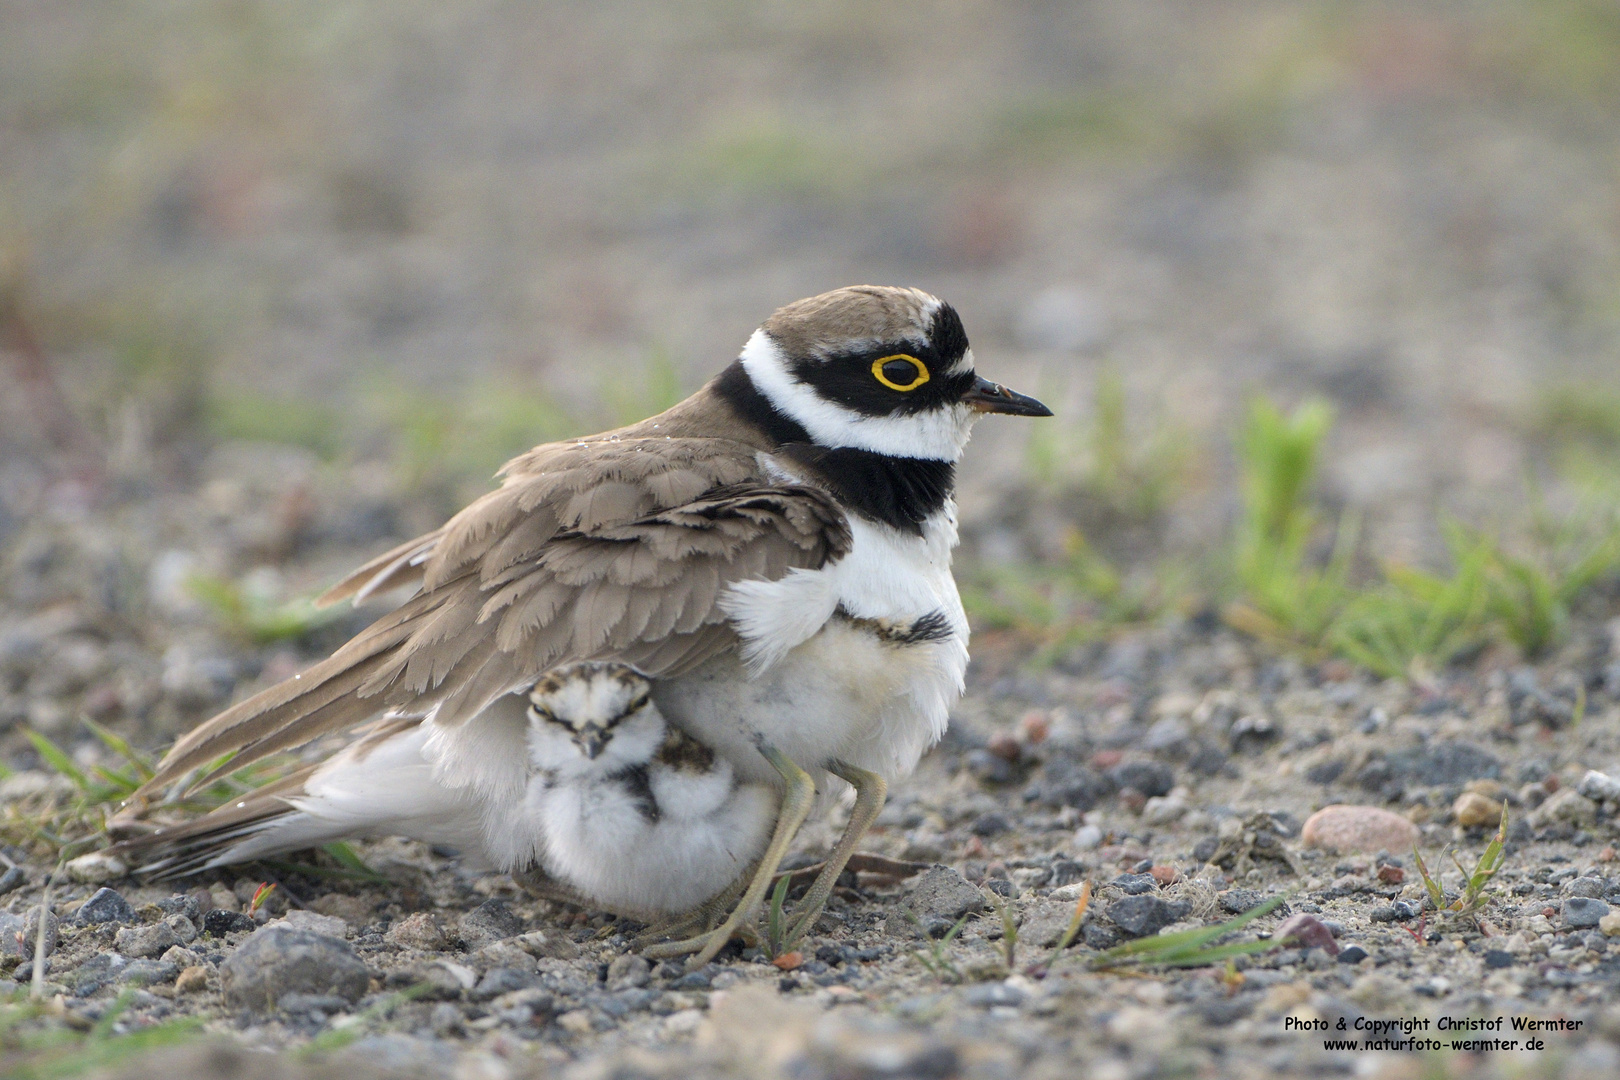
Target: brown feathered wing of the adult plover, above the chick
(610,548)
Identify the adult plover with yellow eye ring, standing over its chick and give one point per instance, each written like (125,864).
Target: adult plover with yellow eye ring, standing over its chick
(774,555)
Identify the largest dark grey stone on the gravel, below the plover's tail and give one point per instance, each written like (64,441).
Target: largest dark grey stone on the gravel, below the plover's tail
(275,963)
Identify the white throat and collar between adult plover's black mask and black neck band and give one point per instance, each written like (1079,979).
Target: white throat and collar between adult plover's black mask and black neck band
(936,435)
